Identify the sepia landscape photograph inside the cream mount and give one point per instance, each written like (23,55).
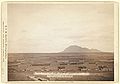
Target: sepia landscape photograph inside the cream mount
(63,41)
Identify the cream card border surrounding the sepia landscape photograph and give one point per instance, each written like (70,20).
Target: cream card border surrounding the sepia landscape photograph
(4,44)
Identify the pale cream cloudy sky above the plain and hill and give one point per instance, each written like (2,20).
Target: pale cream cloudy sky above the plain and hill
(50,28)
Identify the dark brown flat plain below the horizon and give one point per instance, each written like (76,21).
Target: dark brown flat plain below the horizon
(23,66)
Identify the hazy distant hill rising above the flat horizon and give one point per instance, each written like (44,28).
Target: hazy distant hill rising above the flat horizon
(78,49)
